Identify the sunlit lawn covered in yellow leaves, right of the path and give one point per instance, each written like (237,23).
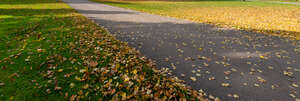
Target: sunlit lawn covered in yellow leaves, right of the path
(266,17)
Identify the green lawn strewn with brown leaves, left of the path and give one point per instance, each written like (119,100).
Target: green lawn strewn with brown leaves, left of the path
(50,52)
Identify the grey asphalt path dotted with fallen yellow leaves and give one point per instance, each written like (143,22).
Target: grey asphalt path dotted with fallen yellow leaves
(222,62)
